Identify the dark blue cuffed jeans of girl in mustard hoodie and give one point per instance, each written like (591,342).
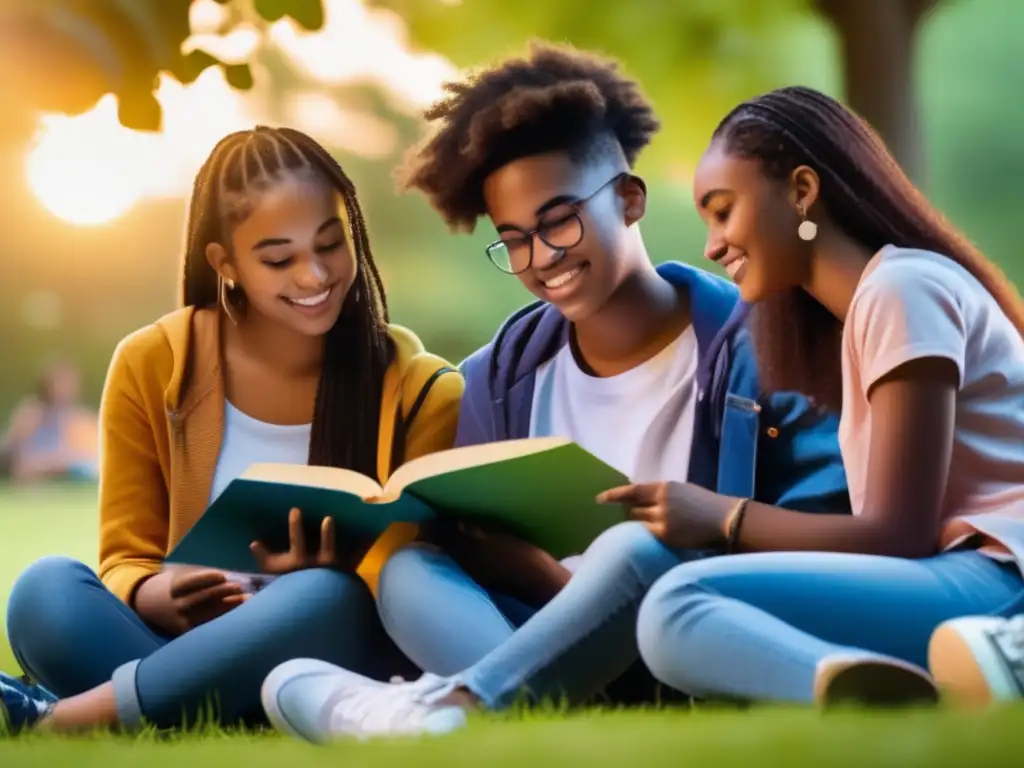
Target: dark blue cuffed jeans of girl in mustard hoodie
(71,634)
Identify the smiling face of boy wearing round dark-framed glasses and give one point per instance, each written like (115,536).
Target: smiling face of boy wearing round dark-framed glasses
(583,211)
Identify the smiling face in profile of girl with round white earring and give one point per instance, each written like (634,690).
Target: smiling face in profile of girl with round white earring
(752,224)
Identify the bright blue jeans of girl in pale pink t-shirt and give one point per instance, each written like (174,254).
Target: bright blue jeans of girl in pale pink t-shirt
(755,627)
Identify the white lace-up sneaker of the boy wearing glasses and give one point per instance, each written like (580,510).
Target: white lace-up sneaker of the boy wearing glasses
(319,703)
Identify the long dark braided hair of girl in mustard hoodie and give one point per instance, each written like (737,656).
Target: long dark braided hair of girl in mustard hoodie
(358,350)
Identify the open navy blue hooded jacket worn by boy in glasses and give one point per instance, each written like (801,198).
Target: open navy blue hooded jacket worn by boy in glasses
(780,450)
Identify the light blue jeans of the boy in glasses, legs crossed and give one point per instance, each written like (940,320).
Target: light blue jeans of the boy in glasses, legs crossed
(574,648)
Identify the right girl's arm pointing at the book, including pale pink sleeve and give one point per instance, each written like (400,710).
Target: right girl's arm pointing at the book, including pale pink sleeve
(907,336)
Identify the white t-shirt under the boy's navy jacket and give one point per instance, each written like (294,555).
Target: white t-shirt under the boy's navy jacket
(641,422)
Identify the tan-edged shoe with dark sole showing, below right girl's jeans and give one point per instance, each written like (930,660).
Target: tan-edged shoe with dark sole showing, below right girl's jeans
(871,680)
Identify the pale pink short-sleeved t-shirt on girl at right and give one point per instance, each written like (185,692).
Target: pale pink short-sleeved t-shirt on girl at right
(913,305)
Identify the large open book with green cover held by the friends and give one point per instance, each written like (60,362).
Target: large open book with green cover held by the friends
(543,490)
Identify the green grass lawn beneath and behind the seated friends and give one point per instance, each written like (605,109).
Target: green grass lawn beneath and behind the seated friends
(62,521)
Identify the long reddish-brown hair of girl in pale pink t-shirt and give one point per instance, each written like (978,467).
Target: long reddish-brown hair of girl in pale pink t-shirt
(869,197)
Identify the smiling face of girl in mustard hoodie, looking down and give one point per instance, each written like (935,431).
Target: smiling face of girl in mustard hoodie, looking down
(290,257)
